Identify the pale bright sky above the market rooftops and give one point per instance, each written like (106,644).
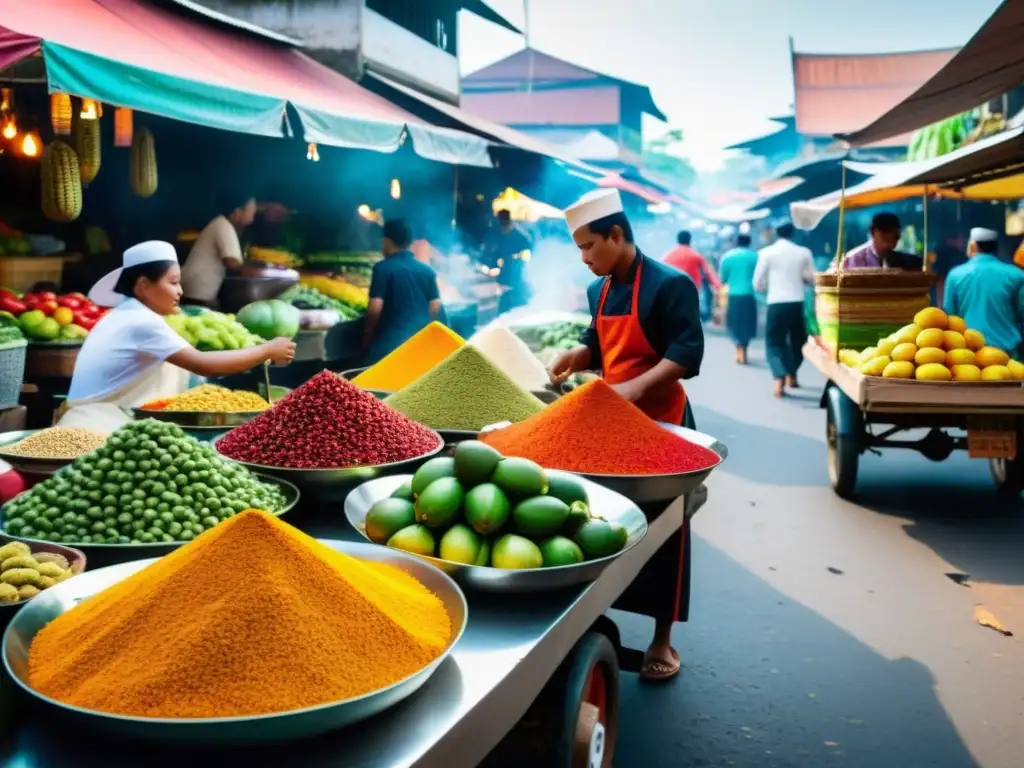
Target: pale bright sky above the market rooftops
(719,69)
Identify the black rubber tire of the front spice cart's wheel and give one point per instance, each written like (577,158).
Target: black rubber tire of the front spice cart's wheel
(593,650)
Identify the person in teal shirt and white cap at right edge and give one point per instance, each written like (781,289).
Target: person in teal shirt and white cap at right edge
(989,293)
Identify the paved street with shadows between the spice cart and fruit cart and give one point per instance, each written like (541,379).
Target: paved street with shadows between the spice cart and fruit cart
(828,633)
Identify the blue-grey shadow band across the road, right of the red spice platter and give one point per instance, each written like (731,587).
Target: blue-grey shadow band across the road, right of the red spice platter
(762,455)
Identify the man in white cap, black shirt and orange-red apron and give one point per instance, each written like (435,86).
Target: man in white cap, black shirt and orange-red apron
(646,336)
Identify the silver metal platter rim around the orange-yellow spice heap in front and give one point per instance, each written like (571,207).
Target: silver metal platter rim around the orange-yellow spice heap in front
(239,731)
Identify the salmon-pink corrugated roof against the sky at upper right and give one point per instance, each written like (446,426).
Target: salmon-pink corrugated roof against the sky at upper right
(839,94)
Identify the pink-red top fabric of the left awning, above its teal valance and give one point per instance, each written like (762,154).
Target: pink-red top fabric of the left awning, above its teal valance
(174,44)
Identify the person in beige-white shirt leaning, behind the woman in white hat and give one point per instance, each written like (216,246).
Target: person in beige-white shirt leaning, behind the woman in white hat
(217,251)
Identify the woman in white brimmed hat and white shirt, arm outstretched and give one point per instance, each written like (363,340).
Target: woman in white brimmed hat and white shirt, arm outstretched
(133,356)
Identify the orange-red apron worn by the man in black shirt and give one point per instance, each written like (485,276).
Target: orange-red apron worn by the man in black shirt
(626,354)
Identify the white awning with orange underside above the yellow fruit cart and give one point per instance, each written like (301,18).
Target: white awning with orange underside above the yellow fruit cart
(990,170)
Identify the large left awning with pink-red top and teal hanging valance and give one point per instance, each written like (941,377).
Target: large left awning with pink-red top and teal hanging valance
(183,66)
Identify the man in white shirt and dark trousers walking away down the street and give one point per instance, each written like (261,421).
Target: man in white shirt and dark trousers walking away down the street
(784,270)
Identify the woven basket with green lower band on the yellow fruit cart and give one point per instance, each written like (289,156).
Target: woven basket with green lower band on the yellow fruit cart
(865,306)
